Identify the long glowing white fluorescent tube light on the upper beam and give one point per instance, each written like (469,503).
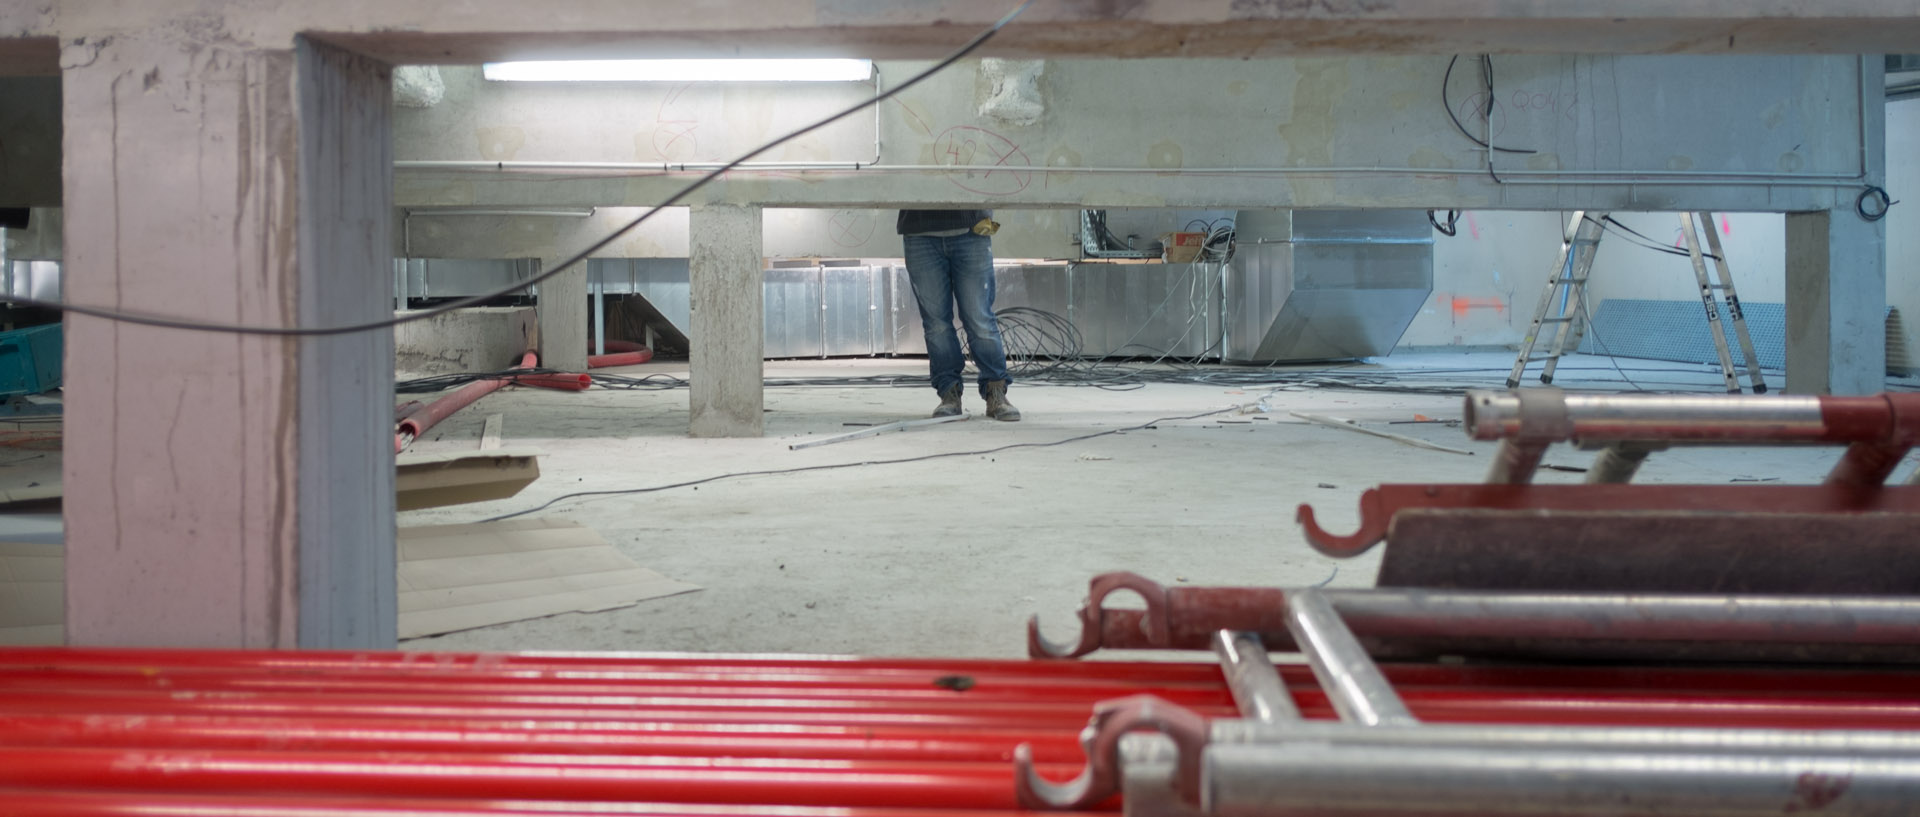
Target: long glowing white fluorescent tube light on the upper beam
(683,72)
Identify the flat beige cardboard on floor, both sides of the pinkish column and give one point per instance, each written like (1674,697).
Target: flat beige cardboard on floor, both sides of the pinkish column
(450,578)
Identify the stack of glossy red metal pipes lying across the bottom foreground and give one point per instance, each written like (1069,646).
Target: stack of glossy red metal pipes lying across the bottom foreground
(101,732)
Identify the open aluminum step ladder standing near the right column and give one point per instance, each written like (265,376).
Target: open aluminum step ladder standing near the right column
(1564,302)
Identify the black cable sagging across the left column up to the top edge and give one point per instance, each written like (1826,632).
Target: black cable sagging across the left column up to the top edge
(172,323)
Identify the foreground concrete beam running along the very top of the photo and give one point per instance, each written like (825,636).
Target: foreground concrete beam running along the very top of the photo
(468,32)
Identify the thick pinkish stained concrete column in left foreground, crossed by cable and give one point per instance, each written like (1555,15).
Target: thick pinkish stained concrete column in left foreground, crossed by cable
(228,490)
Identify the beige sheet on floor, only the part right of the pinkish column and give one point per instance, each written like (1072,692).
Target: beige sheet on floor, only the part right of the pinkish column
(471,576)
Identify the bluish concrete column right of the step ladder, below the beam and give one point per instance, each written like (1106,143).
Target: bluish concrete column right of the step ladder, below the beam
(1836,304)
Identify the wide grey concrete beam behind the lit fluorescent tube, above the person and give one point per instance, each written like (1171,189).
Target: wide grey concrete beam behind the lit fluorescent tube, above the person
(1602,133)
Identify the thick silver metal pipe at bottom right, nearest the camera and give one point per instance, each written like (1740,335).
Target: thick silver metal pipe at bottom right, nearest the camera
(1376,782)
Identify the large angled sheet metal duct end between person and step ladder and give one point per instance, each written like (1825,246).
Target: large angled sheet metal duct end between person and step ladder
(1326,285)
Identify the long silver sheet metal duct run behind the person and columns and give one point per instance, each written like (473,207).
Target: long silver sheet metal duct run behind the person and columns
(1305,287)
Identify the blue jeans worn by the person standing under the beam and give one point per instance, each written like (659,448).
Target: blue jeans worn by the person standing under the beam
(949,271)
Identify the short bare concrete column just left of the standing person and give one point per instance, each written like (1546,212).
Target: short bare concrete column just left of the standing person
(729,337)
